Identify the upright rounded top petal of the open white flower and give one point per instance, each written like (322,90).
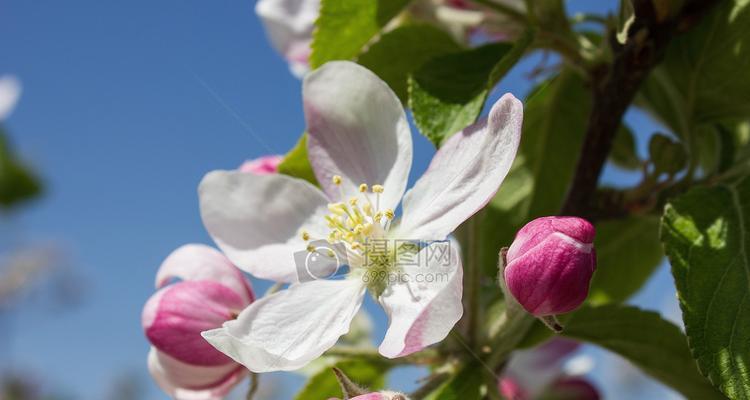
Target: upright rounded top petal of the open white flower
(358,130)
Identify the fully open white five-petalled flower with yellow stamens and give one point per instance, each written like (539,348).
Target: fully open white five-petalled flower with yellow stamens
(360,149)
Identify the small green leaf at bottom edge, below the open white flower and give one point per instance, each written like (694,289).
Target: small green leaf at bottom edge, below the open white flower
(324,384)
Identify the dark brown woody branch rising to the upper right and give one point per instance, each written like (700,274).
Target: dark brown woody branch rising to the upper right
(615,85)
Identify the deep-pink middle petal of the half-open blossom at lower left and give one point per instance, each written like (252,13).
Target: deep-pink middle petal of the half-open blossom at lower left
(175,316)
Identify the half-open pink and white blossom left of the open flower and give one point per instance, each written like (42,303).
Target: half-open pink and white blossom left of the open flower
(211,290)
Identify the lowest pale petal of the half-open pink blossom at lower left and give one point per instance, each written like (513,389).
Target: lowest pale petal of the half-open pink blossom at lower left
(188,382)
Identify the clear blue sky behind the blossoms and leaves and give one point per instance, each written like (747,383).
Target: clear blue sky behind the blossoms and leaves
(126,105)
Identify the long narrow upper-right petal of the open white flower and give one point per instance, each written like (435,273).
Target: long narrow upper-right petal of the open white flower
(464,174)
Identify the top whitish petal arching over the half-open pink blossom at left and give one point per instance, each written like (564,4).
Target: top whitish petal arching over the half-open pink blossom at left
(200,262)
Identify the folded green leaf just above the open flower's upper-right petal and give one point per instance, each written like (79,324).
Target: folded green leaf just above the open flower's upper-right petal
(448,93)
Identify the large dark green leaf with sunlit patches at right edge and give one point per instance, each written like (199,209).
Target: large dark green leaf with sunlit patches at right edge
(706,235)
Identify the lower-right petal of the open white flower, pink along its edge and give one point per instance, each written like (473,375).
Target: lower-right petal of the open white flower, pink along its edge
(424,302)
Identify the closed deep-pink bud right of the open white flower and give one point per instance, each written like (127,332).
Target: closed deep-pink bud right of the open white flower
(550,264)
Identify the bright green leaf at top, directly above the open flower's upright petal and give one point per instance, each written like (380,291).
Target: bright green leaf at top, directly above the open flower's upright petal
(344,27)
